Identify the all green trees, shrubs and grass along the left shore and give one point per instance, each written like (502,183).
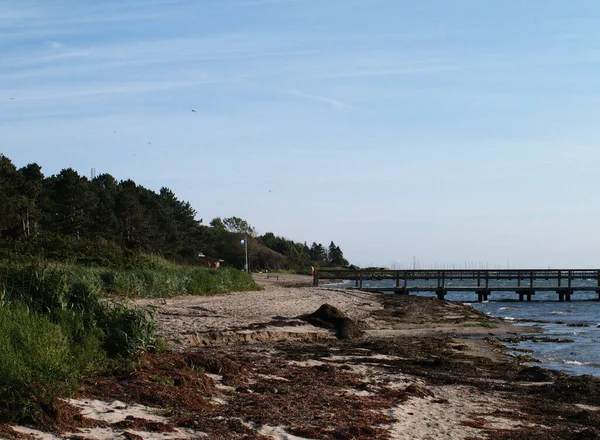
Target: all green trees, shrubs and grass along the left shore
(71,249)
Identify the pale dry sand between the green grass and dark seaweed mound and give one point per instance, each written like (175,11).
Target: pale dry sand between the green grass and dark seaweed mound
(250,317)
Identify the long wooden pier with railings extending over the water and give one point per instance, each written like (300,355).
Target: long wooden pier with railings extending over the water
(524,282)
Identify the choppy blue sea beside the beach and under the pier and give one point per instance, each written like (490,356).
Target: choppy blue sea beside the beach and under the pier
(576,321)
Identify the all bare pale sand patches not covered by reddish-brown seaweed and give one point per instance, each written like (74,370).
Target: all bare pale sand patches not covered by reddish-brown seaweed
(435,411)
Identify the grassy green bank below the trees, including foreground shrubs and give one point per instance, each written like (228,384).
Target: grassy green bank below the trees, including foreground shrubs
(60,321)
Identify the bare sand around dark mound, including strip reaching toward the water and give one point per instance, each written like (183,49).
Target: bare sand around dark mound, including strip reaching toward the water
(272,314)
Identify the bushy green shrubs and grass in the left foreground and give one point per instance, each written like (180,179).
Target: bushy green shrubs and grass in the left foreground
(55,327)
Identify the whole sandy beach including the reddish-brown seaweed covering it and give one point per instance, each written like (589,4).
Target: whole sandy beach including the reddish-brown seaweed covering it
(249,366)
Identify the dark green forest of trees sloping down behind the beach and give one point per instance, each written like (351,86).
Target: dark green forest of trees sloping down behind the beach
(110,222)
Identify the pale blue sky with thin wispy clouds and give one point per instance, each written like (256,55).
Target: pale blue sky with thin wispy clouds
(439,133)
